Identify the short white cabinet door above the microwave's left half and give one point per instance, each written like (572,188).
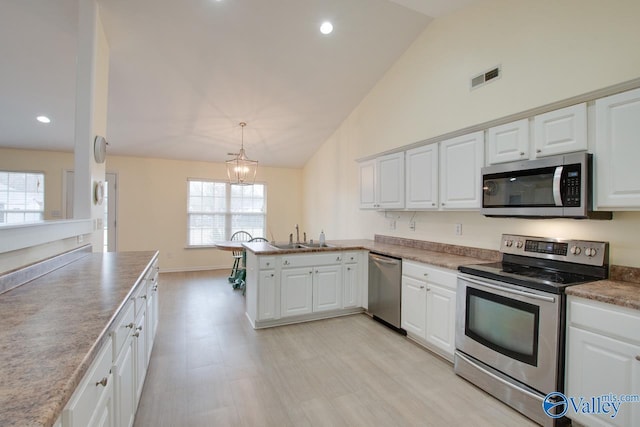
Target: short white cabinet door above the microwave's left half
(508,142)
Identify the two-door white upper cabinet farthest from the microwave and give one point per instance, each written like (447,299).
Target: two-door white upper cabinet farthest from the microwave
(382,182)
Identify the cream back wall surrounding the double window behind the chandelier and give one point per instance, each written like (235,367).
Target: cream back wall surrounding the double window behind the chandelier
(152,205)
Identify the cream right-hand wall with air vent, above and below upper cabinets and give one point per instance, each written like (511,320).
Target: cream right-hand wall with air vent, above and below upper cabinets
(549,51)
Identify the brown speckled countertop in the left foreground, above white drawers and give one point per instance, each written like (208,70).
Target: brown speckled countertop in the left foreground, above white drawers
(52,328)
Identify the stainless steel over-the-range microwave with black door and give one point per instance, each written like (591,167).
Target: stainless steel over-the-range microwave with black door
(555,187)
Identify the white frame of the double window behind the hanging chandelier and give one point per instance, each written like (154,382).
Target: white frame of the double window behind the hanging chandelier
(228,213)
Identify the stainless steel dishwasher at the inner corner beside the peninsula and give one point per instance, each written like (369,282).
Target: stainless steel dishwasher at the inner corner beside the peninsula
(385,275)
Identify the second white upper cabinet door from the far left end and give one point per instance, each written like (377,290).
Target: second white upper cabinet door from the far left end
(390,181)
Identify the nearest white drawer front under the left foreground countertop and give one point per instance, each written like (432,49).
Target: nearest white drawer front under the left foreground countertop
(97,382)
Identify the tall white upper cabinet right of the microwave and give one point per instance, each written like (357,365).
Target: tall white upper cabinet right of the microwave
(617,151)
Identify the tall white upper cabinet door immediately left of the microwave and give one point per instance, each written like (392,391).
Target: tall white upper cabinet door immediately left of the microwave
(461,161)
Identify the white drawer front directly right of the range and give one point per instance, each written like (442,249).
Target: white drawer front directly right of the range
(607,319)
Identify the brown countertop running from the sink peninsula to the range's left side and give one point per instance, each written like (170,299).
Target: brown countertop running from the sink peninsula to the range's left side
(440,255)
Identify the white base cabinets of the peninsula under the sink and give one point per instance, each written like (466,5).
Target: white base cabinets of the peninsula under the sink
(291,288)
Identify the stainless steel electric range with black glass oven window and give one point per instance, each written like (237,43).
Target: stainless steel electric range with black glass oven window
(511,318)
